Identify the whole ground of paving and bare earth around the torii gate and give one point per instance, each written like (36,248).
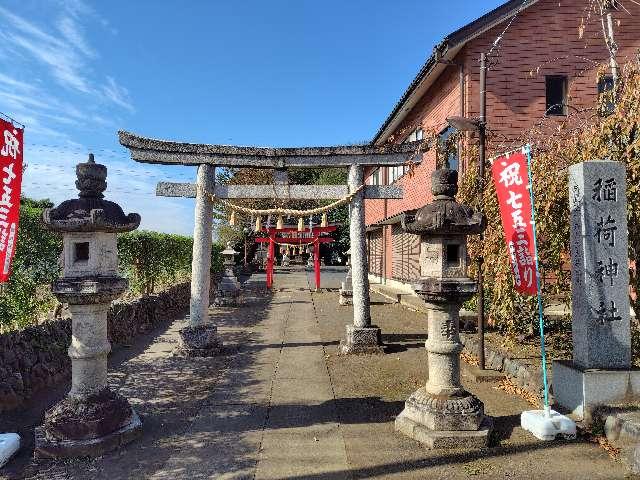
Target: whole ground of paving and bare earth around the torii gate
(282,405)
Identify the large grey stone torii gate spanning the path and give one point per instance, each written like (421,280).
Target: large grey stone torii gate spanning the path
(200,338)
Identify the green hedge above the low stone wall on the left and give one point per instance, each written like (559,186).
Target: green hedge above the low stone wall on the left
(149,259)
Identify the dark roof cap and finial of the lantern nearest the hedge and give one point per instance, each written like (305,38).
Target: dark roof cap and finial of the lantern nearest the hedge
(90,212)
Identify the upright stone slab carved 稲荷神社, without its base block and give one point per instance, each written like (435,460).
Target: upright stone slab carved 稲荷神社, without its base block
(600,265)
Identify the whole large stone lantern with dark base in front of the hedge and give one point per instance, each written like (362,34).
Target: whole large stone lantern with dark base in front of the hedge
(91,419)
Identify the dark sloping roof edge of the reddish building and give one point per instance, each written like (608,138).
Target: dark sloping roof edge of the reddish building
(446,50)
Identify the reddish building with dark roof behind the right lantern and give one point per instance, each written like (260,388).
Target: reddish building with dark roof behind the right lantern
(544,66)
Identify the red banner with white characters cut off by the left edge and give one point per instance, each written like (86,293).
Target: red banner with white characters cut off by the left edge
(11,151)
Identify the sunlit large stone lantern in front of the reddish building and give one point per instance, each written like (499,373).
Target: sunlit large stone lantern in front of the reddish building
(442,414)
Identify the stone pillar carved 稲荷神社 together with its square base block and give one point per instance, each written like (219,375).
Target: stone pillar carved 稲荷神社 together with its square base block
(600,372)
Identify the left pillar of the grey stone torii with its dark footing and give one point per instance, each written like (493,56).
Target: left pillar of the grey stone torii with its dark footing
(200,338)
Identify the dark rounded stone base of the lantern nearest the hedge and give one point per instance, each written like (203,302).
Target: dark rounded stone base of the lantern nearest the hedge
(87,426)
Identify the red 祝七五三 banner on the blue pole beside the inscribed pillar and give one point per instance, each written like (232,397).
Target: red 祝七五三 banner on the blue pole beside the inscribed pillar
(511,178)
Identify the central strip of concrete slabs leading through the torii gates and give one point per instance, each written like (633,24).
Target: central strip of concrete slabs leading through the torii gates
(278,421)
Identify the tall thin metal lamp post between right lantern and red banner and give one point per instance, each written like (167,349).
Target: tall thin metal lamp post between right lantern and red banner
(481,159)
